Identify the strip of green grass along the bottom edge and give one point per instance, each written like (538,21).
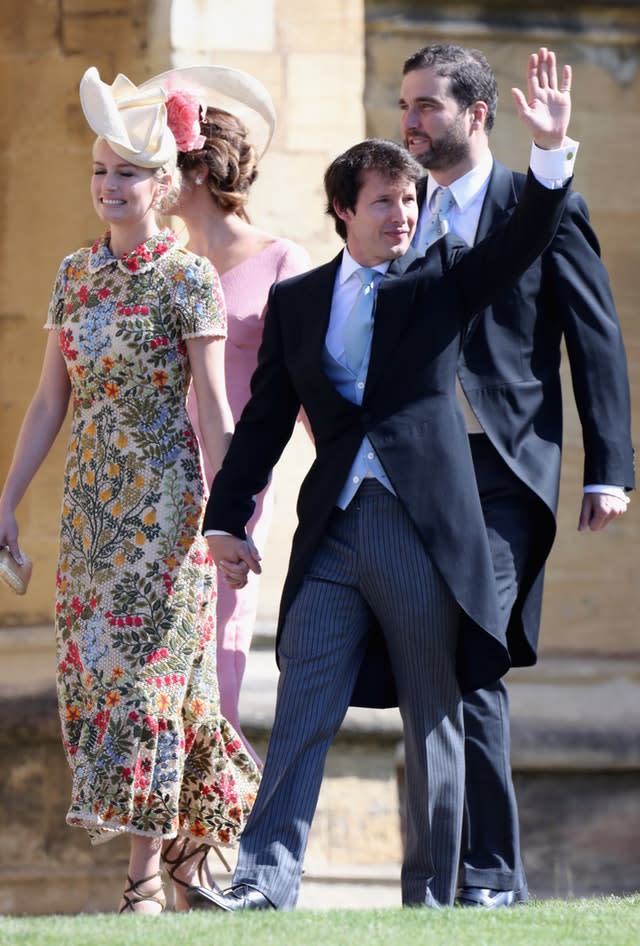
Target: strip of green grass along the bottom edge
(610,921)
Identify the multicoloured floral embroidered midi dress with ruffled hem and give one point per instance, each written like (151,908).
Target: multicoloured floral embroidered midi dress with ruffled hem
(135,617)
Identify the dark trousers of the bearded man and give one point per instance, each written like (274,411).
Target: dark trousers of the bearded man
(491,837)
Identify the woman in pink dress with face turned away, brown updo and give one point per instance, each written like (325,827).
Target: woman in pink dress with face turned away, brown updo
(223,120)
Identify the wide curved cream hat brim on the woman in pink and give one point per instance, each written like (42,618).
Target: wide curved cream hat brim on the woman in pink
(229,89)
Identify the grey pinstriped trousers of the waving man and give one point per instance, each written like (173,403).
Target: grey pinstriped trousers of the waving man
(370,561)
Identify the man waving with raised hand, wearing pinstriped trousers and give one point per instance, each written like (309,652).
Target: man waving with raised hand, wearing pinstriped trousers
(390,544)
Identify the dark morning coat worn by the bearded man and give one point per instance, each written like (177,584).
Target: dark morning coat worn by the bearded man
(509,368)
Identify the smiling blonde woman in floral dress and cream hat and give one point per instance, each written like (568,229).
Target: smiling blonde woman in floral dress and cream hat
(132,320)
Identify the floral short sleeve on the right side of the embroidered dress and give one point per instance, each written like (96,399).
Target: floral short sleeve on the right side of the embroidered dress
(201,306)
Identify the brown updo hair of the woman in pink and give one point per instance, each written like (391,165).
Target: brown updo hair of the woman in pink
(231,161)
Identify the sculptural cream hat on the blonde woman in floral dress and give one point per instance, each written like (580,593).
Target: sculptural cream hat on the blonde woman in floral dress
(132,120)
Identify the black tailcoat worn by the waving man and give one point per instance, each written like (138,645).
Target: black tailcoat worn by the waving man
(409,412)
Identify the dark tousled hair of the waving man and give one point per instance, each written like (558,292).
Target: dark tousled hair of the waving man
(343,178)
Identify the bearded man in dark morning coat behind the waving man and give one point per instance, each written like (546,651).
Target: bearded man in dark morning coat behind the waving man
(509,387)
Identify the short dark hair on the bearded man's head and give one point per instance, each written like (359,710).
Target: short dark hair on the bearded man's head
(470,75)
